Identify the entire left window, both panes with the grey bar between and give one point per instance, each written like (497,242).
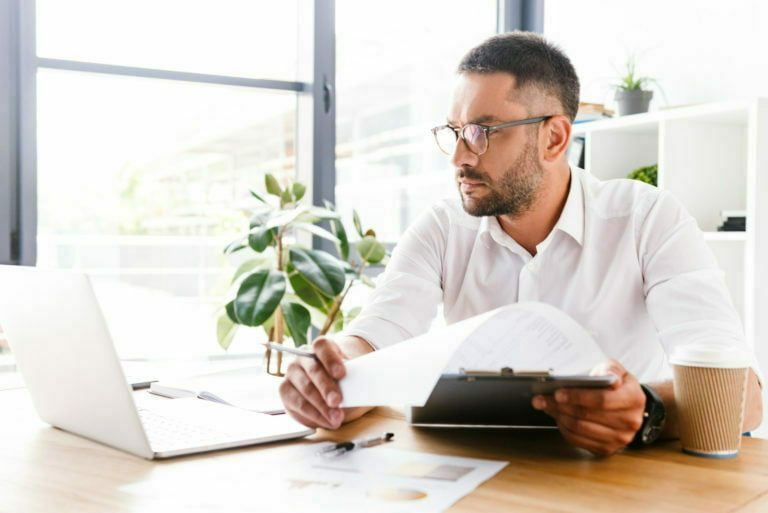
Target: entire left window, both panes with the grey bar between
(143,177)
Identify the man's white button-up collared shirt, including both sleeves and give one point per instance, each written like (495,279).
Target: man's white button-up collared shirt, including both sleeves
(625,260)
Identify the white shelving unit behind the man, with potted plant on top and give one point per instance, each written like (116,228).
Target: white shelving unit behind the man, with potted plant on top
(712,158)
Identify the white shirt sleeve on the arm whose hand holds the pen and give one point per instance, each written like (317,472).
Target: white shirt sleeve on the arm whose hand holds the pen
(406,298)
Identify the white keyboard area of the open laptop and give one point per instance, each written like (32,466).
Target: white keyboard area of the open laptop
(169,433)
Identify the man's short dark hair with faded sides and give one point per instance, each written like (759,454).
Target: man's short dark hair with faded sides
(532,60)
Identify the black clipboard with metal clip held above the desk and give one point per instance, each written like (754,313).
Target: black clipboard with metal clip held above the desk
(500,399)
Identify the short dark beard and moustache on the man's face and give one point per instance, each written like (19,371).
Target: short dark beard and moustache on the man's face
(513,194)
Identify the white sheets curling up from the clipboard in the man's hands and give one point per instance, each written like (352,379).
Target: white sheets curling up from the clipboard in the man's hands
(523,336)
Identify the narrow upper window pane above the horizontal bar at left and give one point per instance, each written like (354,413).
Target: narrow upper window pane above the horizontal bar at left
(244,38)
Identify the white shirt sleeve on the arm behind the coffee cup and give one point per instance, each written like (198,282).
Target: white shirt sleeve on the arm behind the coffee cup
(685,291)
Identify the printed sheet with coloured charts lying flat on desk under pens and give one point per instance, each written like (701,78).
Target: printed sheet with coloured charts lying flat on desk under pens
(295,479)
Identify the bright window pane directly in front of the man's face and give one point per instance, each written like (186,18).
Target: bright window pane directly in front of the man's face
(394,78)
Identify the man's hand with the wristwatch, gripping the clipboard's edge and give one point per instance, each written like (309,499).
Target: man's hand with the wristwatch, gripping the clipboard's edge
(601,421)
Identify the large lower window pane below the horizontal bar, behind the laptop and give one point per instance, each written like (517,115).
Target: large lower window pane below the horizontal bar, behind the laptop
(141,183)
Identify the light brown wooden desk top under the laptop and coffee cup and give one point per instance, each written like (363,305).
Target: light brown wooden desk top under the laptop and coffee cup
(46,470)
